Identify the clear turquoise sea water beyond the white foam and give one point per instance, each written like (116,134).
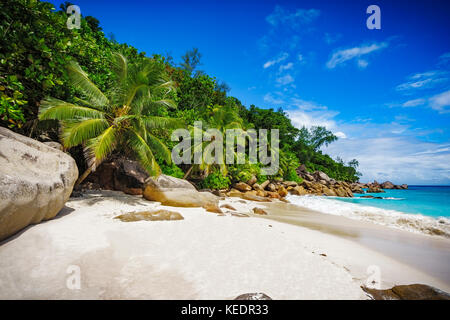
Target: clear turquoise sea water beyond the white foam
(431,201)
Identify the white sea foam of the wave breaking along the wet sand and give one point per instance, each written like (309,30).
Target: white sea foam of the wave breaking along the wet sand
(411,222)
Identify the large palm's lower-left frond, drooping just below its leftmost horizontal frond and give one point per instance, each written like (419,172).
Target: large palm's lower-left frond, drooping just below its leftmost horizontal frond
(75,133)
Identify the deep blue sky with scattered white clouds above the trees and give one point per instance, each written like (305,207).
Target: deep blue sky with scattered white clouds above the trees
(385,93)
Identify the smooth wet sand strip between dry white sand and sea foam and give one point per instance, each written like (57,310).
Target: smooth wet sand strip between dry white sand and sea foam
(430,254)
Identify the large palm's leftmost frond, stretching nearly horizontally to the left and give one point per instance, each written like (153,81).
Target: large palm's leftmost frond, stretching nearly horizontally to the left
(56,109)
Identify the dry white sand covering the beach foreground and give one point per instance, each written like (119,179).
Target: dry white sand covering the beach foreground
(204,256)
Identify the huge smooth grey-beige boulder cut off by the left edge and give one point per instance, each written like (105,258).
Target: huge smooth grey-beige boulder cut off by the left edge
(35,181)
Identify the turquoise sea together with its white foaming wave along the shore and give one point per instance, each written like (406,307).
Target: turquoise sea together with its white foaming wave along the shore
(423,209)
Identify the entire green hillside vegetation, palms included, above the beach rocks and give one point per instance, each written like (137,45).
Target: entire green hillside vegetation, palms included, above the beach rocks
(100,98)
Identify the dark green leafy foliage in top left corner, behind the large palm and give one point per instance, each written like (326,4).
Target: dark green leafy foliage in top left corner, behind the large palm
(36,48)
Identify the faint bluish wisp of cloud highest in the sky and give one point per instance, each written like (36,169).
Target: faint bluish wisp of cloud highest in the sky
(282,17)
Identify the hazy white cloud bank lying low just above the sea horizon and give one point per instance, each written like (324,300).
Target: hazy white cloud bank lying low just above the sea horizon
(399,159)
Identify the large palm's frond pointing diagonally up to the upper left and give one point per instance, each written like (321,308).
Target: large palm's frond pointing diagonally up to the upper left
(81,81)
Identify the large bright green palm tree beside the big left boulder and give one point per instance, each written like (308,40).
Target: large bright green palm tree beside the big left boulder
(119,120)
